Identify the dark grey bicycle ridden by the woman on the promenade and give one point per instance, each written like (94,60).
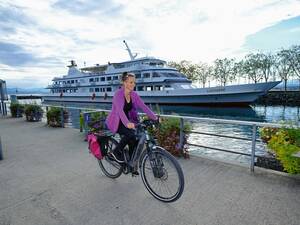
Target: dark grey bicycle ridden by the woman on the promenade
(157,167)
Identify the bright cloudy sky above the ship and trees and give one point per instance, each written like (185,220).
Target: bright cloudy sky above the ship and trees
(38,38)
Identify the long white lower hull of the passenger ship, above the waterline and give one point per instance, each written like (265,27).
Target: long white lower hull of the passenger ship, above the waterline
(229,95)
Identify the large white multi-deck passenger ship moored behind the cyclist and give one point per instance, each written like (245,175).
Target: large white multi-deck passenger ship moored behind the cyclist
(155,82)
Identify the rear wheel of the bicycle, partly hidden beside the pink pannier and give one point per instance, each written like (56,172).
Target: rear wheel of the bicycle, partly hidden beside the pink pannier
(109,166)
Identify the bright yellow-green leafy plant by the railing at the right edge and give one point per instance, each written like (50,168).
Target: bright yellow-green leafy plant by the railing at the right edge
(286,142)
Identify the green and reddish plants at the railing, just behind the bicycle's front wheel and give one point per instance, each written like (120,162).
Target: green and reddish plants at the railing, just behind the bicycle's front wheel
(168,136)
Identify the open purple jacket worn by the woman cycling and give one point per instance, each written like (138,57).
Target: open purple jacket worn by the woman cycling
(117,112)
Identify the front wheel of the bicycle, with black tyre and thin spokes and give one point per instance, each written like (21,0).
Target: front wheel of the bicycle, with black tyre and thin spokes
(162,175)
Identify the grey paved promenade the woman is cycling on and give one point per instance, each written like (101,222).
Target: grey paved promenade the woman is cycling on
(48,177)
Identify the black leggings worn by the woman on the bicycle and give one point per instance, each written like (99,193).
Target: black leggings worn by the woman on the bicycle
(127,137)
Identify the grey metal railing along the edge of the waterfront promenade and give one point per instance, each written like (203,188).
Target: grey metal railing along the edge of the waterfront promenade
(186,119)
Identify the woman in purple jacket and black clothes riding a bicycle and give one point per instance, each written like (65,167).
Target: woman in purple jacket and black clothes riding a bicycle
(123,115)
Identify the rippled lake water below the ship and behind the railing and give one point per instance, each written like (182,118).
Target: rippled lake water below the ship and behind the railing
(259,113)
